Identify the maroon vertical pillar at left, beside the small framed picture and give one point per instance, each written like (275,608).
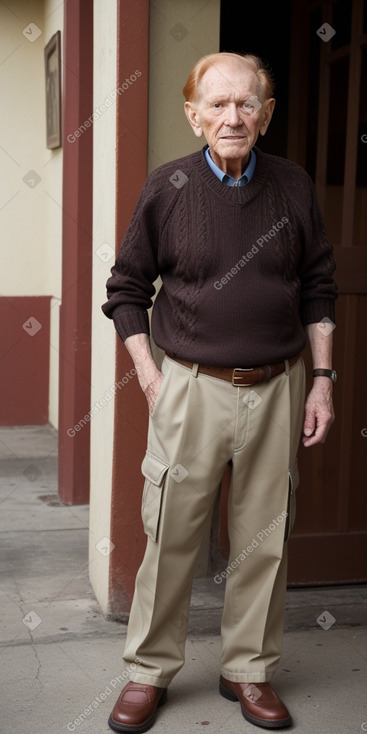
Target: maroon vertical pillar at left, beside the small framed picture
(75,312)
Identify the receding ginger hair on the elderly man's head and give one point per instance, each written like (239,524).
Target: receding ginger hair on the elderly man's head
(254,63)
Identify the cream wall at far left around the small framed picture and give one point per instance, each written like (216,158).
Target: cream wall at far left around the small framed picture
(30,215)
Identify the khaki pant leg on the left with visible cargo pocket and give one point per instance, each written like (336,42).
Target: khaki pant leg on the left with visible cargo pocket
(190,441)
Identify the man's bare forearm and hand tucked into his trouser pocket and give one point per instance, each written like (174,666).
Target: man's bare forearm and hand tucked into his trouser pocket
(149,376)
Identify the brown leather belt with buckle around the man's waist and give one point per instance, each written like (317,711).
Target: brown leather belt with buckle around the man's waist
(240,376)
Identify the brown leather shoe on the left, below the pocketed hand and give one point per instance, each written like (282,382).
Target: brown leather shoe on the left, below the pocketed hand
(136,707)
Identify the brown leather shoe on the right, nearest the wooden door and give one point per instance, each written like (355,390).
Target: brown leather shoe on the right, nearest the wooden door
(259,703)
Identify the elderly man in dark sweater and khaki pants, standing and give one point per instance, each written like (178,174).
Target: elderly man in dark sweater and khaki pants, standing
(237,238)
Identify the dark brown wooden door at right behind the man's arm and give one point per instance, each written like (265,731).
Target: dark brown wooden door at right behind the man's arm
(328,136)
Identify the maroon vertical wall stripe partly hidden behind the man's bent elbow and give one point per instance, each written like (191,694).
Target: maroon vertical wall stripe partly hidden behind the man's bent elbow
(131,414)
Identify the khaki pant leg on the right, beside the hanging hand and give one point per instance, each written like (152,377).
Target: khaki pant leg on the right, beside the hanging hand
(266,446)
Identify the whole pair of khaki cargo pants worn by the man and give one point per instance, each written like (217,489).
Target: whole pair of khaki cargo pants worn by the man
(198,424)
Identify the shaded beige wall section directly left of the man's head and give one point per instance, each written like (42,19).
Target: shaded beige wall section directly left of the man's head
(180,34)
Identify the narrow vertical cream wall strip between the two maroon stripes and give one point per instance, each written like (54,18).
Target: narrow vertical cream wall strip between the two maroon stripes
(103,336)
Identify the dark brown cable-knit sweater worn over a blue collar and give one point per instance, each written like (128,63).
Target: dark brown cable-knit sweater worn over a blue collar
(243,269)
